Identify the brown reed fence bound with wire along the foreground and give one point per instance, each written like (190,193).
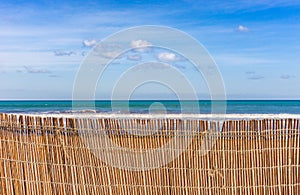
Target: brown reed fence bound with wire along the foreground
(46,155)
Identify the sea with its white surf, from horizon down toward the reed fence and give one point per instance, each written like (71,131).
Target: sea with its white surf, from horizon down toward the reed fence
(235,108)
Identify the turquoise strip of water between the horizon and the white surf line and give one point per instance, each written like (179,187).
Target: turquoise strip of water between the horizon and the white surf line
(143,106)
